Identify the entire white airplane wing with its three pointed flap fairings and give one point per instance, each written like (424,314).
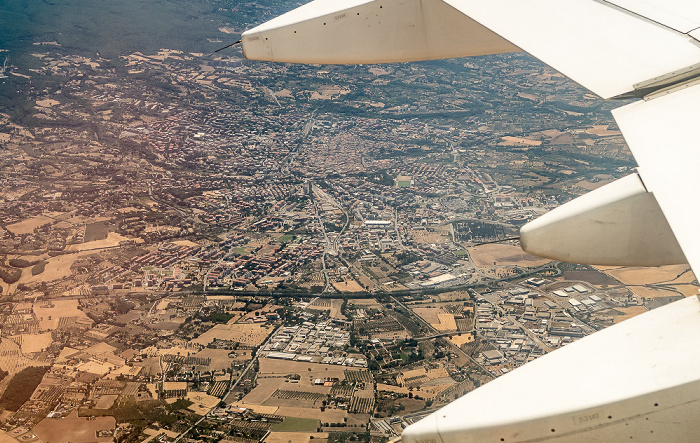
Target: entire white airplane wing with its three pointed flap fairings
(636,380)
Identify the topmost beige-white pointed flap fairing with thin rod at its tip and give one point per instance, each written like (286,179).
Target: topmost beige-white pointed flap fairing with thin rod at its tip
(370,31)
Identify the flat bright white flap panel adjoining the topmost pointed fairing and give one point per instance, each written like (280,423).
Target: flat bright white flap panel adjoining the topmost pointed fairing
(602,47)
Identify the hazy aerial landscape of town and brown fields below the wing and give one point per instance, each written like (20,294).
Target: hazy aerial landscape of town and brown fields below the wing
(199,247)
